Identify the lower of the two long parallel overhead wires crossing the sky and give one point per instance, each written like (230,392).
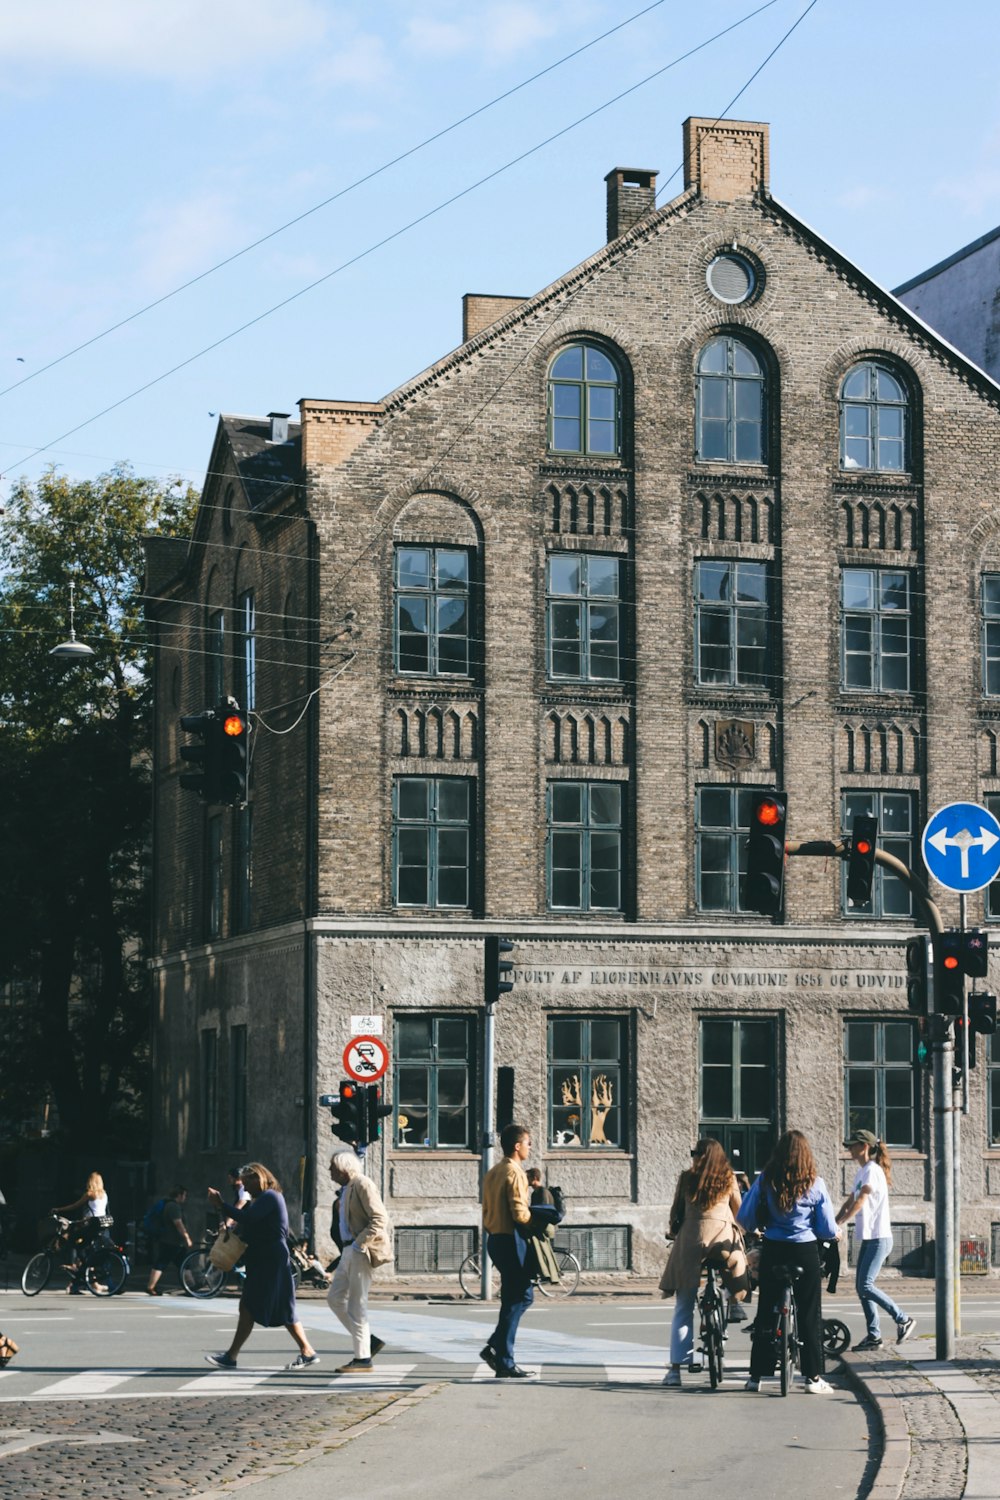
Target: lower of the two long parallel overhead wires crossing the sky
(397,235)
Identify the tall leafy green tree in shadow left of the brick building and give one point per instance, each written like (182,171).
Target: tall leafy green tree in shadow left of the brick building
(76,802)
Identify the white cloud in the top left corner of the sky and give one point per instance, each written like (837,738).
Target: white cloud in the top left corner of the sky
(175,40)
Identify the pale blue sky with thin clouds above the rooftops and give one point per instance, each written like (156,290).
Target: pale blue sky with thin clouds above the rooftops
(146,143)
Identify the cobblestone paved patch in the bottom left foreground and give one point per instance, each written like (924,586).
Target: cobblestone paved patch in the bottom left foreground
(131,1450)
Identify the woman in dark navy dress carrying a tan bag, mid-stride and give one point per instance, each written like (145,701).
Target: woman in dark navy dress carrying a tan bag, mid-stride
(269,1294)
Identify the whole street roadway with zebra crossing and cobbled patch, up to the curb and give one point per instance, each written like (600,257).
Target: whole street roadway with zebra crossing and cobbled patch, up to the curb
(128,1375)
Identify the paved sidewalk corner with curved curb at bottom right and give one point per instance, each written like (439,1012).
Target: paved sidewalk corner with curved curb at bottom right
(941,1420)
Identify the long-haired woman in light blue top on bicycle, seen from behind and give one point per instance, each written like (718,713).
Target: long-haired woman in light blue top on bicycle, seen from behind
(791,1207)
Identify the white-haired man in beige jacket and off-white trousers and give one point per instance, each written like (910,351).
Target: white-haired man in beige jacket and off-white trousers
(365,1246)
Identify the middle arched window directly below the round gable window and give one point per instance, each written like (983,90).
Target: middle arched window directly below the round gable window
(731,404)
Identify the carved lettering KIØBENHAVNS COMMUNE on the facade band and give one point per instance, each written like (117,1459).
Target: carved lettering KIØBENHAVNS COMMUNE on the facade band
(710,979)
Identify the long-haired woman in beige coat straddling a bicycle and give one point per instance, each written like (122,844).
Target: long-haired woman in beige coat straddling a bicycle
(702,1228)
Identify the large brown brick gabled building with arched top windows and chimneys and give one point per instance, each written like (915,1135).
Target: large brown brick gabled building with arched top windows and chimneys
(711,512)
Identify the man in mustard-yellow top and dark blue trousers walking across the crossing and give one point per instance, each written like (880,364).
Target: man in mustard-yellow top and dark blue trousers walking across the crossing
(506,1217)
